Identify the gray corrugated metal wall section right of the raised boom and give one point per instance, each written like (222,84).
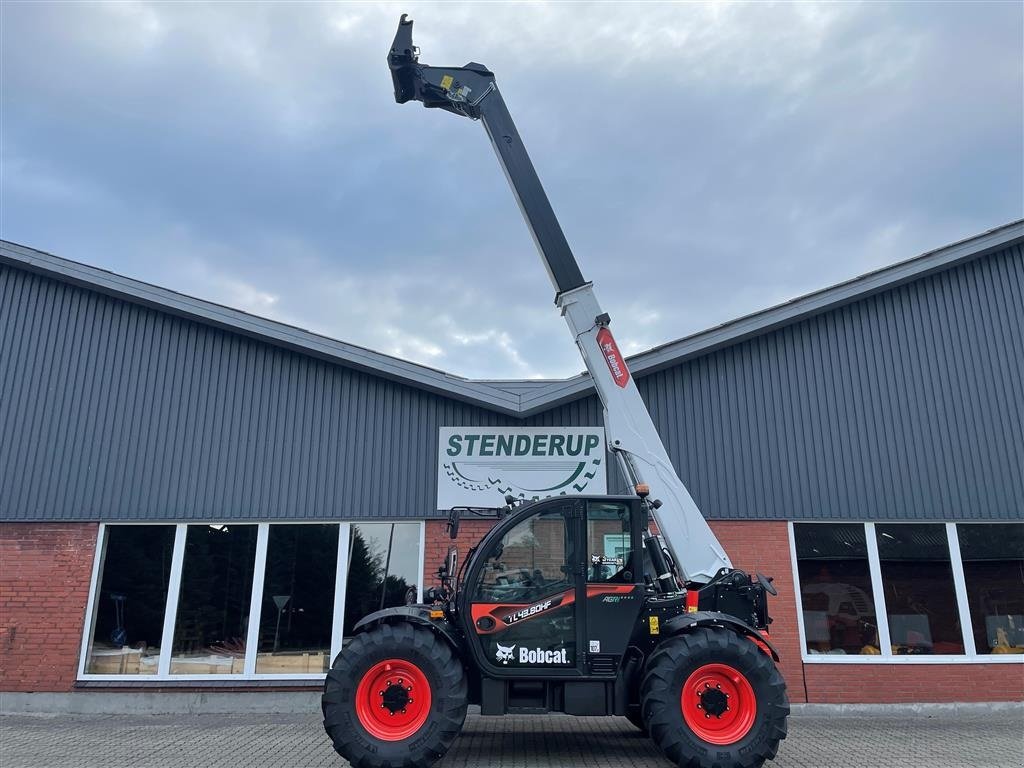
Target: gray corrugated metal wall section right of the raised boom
(907,405)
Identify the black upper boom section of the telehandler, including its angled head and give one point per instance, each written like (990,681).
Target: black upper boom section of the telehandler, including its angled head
(472,92)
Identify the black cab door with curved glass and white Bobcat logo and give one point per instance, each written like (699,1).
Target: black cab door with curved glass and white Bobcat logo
(526,592)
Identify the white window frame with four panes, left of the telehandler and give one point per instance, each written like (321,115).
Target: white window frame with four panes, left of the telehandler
(257,603)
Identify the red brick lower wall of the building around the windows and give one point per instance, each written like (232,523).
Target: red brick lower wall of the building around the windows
(45,582)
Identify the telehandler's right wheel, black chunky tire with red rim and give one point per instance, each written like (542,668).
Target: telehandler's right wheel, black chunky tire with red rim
(714,700)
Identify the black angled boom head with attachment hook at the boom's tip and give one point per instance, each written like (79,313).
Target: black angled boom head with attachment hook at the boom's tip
(458,90)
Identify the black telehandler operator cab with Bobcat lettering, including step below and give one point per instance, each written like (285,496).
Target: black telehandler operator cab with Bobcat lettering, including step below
(554,592)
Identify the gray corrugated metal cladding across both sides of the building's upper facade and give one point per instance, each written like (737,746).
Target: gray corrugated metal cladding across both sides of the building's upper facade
(905,405)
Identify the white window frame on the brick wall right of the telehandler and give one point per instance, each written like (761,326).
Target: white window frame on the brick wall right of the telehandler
(970,655)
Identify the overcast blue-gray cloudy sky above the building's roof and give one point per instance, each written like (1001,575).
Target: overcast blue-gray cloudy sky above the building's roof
(706,161)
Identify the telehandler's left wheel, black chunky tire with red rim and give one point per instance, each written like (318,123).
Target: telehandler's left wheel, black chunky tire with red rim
(396,698)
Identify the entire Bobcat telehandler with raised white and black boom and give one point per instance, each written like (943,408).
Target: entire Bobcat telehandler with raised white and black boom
(569,605)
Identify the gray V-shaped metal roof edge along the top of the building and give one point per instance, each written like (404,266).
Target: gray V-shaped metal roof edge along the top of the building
(520,399)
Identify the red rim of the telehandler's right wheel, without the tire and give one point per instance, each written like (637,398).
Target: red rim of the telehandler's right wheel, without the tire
(718,704)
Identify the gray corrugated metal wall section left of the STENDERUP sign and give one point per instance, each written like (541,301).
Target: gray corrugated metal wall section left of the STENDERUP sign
(113,411)
